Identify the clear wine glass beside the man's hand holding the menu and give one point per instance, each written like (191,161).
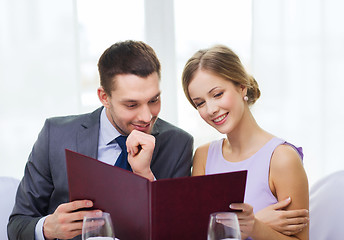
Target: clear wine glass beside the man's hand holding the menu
(97,227)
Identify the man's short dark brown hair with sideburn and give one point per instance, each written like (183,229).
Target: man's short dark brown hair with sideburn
(128,57)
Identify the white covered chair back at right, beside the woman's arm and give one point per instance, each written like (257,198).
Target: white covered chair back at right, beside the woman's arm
(326,208)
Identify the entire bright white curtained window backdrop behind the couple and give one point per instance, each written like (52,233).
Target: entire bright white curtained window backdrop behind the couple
(49,52)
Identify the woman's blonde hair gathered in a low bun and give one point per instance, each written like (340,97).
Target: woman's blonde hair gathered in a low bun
(223,62)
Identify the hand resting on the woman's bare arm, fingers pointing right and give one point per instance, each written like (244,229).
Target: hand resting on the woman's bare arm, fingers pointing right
(288,222)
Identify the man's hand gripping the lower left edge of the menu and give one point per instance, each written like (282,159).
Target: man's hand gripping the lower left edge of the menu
(66,222)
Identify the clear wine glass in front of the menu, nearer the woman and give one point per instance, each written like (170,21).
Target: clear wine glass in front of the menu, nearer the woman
(223,225)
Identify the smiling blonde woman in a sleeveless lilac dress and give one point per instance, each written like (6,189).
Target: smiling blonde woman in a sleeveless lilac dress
(217,85)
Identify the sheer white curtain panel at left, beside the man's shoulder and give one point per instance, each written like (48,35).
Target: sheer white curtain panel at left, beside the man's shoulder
(38,73)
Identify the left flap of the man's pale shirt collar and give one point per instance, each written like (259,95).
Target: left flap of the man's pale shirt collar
(107,131)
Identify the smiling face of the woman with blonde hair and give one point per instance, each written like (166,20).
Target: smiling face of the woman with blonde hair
(219,102)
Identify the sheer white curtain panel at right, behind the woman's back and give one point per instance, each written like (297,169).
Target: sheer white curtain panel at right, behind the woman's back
(298,59)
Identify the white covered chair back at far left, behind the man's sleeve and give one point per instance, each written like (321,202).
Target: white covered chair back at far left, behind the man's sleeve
(8,189)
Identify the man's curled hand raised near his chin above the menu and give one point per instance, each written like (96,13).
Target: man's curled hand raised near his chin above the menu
(140,147)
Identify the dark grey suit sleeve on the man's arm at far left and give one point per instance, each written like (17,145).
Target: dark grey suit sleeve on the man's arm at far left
(34,191)
